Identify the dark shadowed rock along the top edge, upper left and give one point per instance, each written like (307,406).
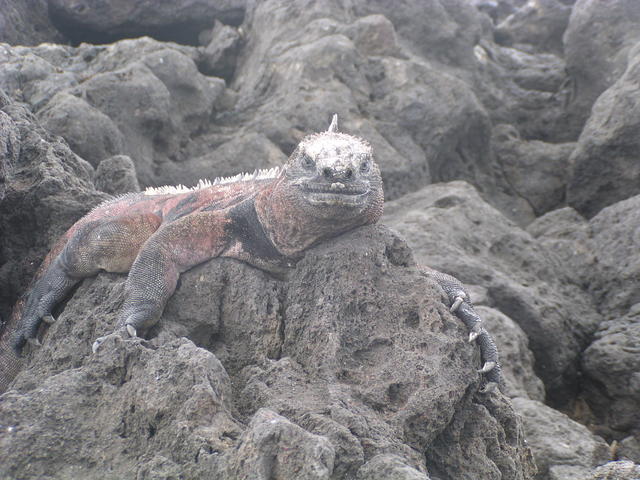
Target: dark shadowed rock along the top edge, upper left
(100,21)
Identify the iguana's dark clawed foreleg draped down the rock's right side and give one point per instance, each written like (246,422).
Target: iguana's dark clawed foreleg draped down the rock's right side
(460,304)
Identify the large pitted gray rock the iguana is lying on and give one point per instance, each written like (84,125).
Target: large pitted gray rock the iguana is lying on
(328,349)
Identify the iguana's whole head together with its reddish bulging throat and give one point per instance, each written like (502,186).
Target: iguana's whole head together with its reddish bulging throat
(330,184)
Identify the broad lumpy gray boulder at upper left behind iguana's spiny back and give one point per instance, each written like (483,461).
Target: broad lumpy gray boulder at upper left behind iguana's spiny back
(140,97)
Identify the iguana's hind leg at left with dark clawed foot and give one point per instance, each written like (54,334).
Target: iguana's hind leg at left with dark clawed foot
(109,245)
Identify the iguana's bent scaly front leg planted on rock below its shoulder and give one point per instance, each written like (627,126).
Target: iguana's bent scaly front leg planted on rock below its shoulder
(173,249)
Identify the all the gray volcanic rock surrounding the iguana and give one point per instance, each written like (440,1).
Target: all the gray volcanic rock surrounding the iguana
(507,136)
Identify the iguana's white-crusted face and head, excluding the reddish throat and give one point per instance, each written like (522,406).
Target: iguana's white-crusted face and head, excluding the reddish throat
(334,174)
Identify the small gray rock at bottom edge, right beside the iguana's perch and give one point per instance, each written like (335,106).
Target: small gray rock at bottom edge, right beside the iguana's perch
(563,449)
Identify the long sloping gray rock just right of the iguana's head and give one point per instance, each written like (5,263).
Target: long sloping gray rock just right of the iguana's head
(451,229)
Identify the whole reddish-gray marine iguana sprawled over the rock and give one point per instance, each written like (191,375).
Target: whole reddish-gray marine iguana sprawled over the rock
(329,185)
